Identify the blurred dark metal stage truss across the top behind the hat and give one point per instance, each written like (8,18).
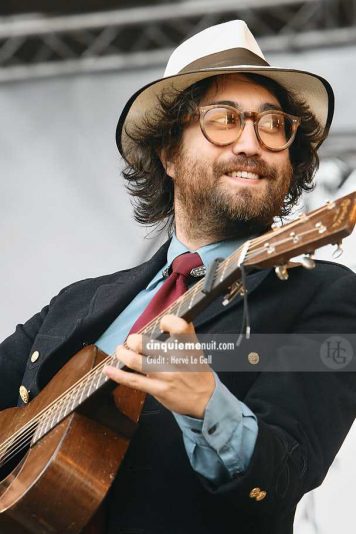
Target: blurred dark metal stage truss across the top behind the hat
(40,46)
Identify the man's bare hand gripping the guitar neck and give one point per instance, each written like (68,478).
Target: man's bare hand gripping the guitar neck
(183,391)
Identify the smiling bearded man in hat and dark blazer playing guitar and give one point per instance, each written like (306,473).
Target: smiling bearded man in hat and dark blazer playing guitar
(215,150)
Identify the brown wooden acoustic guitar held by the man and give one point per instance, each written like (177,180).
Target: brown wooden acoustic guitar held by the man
(60,453)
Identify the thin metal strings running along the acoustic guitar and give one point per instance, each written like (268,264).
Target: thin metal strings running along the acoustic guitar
(82,382)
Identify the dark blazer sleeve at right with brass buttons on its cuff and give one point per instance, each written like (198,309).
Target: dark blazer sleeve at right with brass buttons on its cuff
(303,417)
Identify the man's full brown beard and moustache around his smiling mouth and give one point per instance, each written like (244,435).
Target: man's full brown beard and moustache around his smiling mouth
(211,208)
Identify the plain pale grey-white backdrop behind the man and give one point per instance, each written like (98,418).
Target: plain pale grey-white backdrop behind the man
(65,214)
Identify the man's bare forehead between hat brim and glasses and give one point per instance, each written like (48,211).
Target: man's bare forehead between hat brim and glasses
(240,89)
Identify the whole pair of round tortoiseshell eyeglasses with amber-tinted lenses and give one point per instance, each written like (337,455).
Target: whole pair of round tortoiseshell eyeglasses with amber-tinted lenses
(222,125)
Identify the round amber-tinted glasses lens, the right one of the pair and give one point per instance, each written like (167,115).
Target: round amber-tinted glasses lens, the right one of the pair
(275,130)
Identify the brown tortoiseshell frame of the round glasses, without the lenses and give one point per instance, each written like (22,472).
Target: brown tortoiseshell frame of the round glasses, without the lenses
(255,117)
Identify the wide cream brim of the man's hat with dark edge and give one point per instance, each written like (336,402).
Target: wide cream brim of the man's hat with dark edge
(311,88)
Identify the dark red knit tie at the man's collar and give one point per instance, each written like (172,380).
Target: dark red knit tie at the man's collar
(172,288)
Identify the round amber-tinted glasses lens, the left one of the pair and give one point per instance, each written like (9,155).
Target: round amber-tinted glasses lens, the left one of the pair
(222,125)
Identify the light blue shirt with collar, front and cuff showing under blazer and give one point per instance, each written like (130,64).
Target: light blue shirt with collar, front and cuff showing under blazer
(221,445)
